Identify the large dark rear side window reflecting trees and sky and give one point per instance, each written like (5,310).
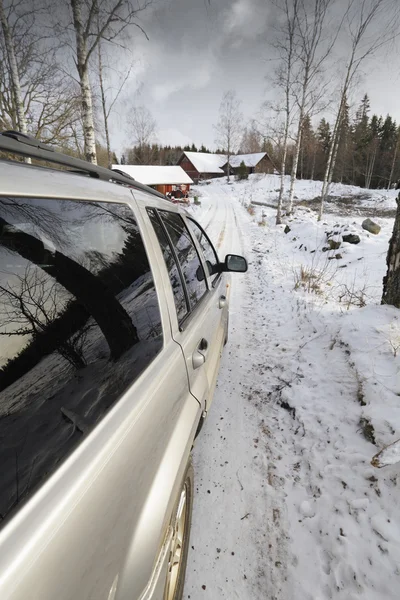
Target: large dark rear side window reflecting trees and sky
(79,321)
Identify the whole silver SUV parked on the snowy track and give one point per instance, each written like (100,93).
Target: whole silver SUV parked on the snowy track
(113,317)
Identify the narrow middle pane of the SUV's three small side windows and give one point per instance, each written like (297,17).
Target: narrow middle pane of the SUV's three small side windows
(187,256)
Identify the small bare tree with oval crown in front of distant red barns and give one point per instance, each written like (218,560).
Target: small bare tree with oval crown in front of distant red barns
(229,127)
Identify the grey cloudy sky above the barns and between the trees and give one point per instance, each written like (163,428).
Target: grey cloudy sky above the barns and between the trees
(198,49)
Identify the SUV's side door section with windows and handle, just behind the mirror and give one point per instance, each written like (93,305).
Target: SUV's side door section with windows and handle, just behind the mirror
(197,322)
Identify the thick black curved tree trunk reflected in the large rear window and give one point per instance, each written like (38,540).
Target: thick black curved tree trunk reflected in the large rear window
(87,288)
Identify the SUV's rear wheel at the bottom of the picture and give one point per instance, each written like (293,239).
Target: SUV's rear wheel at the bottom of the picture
(181,523)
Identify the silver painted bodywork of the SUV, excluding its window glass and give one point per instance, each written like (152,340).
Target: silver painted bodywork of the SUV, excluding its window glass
(98,528)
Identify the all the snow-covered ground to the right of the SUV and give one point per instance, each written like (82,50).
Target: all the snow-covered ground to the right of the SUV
(287,503)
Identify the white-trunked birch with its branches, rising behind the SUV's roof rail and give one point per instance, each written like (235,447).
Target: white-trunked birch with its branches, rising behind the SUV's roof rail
(93,21)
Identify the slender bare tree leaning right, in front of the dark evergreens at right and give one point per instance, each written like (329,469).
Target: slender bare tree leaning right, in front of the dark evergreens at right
(360,18)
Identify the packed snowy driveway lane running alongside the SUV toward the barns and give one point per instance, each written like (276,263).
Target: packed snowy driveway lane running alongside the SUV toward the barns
(237,522)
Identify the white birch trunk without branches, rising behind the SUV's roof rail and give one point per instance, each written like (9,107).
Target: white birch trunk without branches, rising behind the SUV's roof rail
(83,71)
